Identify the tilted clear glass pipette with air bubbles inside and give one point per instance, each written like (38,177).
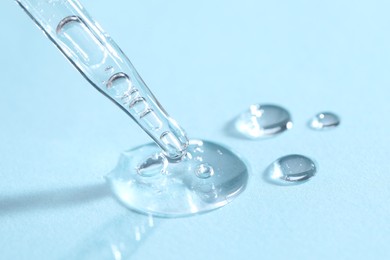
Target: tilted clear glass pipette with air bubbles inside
(106,67)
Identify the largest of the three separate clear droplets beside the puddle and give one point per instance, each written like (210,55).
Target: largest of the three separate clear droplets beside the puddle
(263,121)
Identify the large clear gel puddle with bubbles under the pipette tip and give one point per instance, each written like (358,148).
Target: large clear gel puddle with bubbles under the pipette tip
(208,177)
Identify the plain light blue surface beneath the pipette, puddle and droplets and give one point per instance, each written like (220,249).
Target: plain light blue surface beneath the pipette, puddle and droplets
(206,61)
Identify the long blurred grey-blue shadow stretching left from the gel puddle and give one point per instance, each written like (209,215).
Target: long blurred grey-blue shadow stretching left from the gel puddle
(52,199)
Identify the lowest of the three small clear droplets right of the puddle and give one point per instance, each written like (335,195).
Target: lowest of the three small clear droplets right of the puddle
(291,169)
